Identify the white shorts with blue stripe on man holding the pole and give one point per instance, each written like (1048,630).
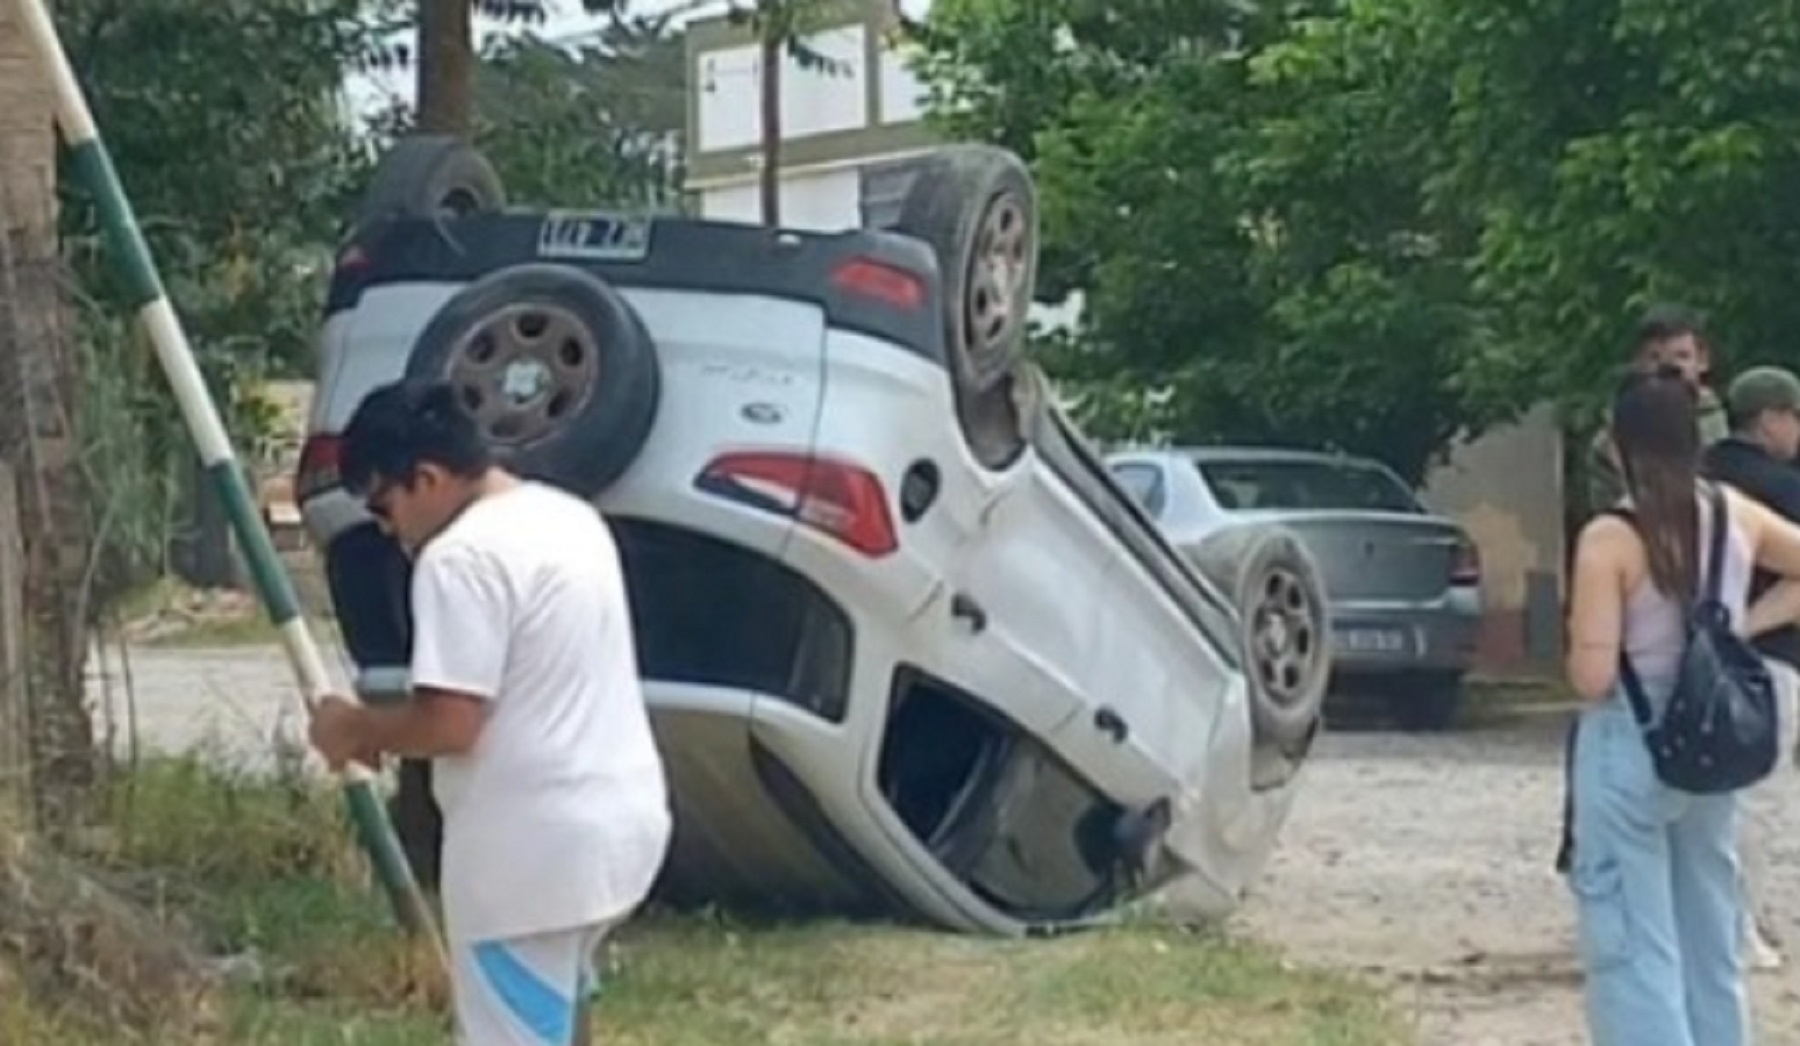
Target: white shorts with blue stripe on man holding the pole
(523,991)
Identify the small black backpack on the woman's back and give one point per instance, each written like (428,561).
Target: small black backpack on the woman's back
(1720,728)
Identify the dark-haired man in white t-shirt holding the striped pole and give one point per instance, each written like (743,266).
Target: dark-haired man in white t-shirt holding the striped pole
(526,698)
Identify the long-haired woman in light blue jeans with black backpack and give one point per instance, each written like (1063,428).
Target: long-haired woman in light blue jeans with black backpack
(1653,780)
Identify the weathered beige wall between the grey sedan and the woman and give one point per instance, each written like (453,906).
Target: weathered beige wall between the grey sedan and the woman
(1507,491)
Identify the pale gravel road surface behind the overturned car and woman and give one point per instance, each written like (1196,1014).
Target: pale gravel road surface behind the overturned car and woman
(1419,860)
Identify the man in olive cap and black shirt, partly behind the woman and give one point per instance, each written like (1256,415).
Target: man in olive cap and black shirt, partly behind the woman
(1758,458)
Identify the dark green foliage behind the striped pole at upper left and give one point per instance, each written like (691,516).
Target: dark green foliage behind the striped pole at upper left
(226,123)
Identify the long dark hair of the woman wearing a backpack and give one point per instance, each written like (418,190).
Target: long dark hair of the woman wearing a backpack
(1657,433)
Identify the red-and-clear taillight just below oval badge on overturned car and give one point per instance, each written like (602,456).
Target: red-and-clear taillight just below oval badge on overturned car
(829,496)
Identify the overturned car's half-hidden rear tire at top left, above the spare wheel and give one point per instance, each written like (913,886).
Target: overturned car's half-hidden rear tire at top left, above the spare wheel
(429,177)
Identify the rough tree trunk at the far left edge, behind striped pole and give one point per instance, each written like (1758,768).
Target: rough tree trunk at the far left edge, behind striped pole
(39,386)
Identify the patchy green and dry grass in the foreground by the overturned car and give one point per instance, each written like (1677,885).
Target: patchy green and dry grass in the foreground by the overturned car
(265,870)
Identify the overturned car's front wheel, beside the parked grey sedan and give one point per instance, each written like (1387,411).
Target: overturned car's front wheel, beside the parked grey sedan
(1281,599)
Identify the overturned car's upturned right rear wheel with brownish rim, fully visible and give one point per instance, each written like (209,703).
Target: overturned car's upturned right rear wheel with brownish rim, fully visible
(978,212)
